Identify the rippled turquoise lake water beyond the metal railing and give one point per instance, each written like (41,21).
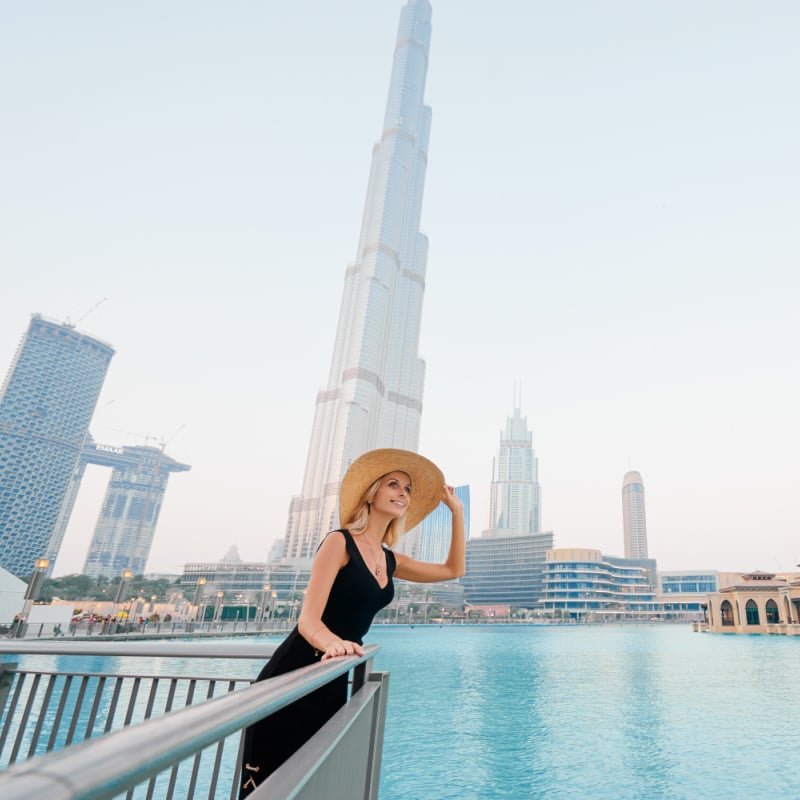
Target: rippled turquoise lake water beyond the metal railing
(600,712)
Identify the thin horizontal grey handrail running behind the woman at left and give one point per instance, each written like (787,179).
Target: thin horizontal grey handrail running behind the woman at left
(164,649)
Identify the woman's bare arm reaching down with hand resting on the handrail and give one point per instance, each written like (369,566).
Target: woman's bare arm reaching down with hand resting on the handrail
(330,558)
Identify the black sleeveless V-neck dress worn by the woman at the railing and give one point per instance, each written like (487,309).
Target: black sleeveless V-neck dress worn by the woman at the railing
(354,599)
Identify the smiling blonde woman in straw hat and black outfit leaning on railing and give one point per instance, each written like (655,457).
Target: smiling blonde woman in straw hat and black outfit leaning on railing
(384,493)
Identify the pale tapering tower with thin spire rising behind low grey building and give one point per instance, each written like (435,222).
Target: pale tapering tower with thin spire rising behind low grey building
(515,500)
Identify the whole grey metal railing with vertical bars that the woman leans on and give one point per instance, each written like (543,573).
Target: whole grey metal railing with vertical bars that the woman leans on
(191,752)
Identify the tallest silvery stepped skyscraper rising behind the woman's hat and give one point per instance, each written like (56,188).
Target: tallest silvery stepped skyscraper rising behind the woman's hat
(373,397)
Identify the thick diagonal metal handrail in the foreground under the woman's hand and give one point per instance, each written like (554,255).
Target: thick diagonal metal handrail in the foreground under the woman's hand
(103,767)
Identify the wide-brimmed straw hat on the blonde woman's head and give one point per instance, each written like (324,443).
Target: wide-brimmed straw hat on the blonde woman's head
(426,482)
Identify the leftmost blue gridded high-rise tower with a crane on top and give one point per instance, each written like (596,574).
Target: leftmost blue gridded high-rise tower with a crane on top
(46,404)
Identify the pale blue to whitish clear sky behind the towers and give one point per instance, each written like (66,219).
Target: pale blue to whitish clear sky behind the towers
(611,203)
